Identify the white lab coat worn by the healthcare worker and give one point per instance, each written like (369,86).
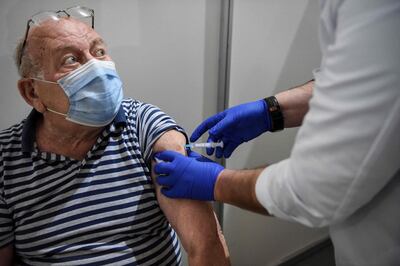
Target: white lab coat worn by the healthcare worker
(343,171)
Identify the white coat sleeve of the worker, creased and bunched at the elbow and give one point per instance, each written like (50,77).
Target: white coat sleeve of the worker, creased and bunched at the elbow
(348,147)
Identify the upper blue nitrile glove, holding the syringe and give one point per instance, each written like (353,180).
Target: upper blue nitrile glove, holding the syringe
(234,126)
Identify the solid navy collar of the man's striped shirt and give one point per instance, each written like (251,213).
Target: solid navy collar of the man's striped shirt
(29,128)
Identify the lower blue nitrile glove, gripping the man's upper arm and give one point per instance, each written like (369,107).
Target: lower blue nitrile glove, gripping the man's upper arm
(191,177)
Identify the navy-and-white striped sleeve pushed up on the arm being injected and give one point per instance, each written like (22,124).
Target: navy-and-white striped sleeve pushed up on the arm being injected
(151,124)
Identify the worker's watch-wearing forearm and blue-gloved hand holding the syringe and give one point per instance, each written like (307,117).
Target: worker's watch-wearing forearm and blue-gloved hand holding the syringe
(247,121)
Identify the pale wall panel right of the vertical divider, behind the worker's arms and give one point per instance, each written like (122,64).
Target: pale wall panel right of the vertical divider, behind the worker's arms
(274,47)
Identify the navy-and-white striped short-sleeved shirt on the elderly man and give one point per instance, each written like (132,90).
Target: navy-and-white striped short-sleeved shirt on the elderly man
(101,210)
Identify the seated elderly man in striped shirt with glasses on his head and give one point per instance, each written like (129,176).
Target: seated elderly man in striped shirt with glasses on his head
(75,183)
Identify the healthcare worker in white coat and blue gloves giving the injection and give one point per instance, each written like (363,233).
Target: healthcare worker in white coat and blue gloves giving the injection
(343,171)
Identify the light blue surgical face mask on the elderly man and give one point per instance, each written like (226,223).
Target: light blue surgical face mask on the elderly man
(94,91)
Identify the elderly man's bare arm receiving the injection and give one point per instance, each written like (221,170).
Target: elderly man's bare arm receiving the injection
(194,221)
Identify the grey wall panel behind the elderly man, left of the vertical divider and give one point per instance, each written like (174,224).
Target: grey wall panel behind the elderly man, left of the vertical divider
(166,52)
